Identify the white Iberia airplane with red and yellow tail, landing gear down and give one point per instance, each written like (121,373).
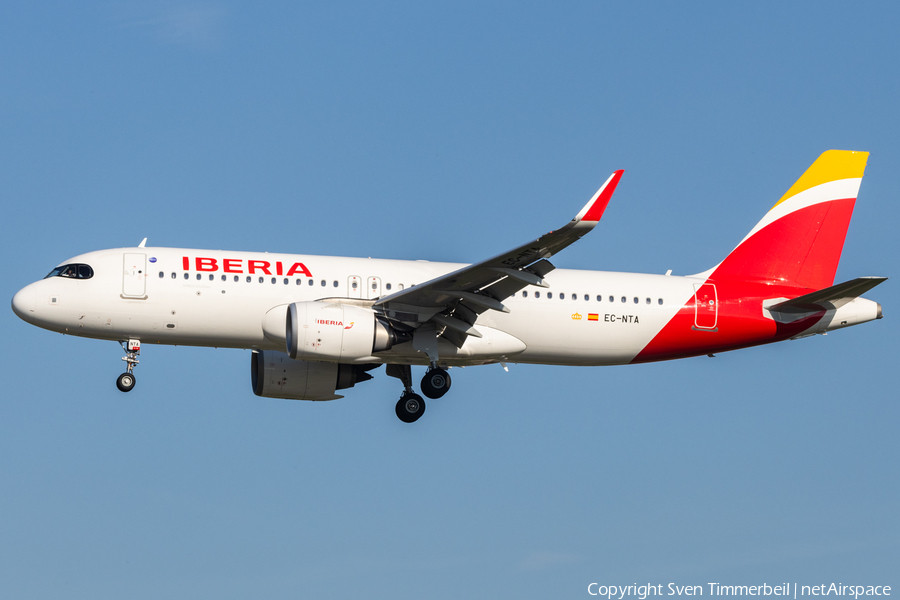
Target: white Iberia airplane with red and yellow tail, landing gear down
(320,324)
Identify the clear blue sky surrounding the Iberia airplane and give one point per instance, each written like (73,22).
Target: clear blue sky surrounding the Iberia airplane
(442,132)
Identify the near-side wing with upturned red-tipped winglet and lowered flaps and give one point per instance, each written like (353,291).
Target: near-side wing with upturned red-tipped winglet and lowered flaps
(450,304)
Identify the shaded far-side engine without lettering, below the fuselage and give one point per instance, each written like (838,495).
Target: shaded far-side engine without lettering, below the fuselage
(276,375)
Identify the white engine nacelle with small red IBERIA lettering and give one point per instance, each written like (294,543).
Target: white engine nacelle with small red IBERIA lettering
(324,331)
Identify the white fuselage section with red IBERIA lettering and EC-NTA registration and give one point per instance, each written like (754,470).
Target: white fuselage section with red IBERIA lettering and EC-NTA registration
(222,298)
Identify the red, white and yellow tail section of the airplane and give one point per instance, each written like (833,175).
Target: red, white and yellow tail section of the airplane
(792,253)
